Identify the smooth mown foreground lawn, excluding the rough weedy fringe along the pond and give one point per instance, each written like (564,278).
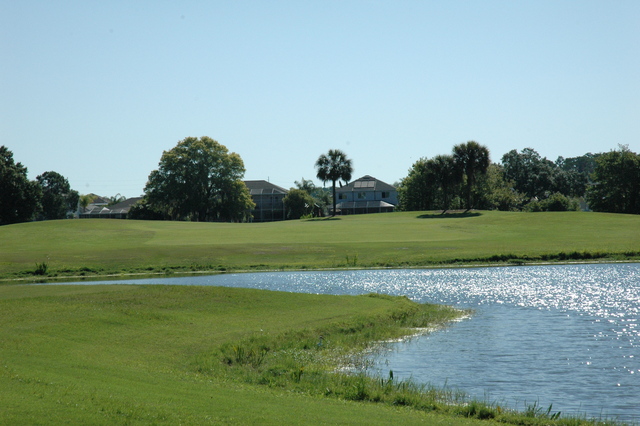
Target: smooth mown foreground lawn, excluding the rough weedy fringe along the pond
(133,355)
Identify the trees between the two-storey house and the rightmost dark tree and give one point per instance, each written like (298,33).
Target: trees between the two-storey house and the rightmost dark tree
(524,181)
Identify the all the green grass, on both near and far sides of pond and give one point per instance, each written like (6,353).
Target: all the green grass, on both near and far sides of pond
(192,355)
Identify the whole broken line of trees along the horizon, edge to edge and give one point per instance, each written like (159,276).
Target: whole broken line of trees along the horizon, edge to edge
(200,180)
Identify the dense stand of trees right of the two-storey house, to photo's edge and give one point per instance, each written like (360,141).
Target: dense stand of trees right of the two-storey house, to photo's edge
(467,179)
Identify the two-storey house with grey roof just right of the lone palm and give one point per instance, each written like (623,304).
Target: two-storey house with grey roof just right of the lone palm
(366,195)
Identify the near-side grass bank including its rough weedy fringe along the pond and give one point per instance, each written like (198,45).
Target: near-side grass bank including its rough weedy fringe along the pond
(200,355)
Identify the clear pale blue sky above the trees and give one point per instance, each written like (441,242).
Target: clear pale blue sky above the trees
(97,90)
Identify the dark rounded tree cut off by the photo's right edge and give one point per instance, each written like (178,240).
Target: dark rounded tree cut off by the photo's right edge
(616,187)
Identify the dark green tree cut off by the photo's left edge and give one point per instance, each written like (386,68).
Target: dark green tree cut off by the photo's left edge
(18,196)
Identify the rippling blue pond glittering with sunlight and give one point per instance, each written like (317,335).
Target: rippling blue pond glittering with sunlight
(567,335)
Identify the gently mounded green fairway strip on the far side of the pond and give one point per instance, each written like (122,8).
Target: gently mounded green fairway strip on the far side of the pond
(90,247)
